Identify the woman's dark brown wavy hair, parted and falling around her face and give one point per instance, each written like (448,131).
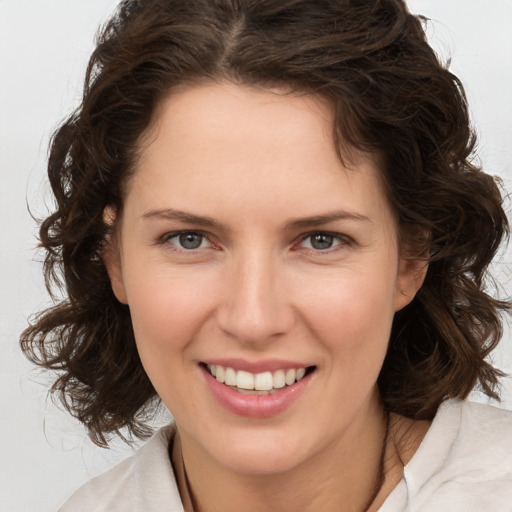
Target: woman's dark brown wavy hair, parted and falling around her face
(391,96)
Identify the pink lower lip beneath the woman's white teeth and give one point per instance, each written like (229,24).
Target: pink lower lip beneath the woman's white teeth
(255,406)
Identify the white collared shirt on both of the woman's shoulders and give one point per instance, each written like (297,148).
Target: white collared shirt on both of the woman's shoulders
(464,464)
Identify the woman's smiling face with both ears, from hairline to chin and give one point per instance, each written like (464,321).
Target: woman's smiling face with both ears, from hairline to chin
(247,249)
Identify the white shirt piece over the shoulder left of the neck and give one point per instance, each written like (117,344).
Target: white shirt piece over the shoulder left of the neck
(144,481)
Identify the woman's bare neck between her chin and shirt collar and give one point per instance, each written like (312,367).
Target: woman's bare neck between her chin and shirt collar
(348,472)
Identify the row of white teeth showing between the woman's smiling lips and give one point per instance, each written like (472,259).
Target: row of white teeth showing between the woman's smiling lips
(265,383)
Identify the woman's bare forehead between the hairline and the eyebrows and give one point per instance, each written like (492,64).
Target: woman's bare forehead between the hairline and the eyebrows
(222,143)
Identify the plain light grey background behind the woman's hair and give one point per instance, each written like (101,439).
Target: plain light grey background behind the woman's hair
(44,46)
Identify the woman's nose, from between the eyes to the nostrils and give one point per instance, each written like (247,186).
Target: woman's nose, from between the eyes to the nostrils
(254,308)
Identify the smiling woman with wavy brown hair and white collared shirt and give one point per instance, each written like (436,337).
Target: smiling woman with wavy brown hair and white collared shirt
(267,218)
